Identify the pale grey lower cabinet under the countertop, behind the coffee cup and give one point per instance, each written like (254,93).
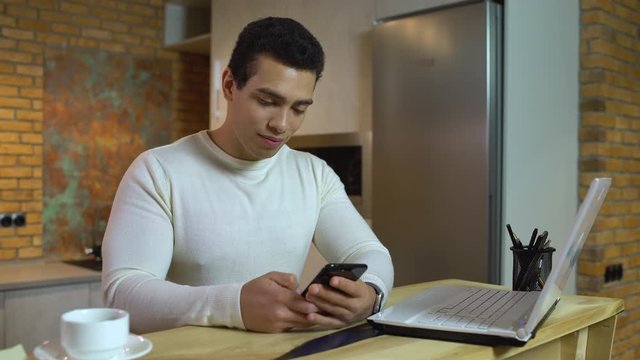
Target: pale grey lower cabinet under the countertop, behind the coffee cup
(31,316)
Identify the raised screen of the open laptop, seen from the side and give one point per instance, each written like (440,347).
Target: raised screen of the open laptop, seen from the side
(562,269)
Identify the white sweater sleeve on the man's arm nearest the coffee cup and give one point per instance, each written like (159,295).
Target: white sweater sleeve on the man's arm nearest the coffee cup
(138,250)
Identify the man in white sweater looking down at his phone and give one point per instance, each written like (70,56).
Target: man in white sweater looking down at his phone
(214,229)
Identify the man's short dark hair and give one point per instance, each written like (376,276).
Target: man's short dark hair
(283,39)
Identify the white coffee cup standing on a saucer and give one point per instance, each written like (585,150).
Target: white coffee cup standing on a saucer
(96,333)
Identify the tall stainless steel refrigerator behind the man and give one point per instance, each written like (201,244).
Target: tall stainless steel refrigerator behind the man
(436,142)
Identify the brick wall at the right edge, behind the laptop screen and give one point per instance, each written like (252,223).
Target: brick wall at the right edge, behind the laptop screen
(610,146)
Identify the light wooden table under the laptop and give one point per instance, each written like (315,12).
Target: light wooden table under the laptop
(580,327)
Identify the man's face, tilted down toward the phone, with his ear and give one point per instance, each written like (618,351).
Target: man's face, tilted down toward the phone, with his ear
(267,111)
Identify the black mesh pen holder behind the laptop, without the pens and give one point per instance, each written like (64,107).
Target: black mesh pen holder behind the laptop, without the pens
(528,276)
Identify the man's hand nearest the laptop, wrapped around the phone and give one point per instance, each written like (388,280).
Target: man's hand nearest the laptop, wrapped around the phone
(353,302)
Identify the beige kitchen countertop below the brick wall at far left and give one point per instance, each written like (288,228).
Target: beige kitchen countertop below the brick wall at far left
(43,272)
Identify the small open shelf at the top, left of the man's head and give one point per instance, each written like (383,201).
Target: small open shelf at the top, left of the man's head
(187,25)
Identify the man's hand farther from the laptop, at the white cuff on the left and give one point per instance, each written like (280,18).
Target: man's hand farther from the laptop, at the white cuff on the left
(271,303)
